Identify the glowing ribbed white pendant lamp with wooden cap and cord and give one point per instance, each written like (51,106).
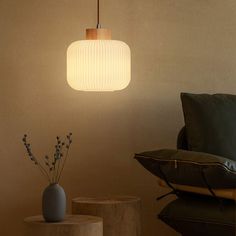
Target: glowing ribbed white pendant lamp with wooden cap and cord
(98,63)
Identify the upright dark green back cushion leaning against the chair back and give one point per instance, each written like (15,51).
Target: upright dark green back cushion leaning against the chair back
(211,123)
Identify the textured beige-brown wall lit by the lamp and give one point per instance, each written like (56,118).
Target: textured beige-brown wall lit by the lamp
(177,45)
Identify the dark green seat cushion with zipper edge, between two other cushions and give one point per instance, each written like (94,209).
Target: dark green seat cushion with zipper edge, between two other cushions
(185,167)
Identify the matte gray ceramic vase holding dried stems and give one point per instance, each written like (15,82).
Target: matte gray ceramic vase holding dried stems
(54,203)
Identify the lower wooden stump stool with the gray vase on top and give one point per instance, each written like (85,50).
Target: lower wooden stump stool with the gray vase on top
(76,225)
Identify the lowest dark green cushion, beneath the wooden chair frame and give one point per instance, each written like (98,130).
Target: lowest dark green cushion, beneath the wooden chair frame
(197,215)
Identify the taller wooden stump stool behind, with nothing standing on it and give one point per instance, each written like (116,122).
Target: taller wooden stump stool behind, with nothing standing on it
(121,215)
